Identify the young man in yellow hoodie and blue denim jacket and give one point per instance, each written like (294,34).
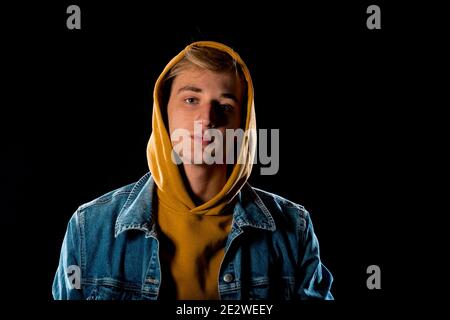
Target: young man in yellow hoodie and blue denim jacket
(192,228)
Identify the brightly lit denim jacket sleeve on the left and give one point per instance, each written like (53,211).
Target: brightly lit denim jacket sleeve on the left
(67,282)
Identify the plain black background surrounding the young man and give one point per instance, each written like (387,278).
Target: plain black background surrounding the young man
(76,119)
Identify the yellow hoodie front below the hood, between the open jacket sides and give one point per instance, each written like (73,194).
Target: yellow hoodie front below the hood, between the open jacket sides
(193,247)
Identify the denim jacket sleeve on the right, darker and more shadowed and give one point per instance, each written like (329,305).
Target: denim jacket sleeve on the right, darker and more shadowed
(313,280)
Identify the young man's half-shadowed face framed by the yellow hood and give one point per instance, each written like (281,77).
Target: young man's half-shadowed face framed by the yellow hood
(204,99)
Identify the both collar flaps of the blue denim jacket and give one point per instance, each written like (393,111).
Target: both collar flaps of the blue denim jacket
(138,212)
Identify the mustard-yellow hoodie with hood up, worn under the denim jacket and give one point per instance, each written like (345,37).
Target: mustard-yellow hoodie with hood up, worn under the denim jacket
(193,238)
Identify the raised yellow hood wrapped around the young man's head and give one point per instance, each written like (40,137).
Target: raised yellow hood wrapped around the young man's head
(166,174)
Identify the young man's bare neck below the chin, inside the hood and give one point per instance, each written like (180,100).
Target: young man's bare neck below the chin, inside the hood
(205,181)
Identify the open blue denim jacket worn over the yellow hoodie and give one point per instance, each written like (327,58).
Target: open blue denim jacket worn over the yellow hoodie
(111,249)
